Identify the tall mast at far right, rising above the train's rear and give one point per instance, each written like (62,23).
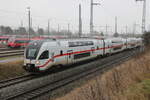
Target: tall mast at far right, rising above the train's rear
(144,15)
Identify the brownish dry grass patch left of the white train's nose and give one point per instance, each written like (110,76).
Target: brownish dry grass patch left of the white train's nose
(11,69)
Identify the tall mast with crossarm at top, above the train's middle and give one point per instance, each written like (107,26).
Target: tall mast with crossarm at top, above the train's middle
(91,16)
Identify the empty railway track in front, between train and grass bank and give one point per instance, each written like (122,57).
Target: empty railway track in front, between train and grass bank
(97,66)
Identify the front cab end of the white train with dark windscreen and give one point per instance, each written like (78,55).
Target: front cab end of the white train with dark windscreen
(36,59)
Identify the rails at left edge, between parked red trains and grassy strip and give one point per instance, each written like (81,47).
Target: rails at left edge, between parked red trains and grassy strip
(11,52)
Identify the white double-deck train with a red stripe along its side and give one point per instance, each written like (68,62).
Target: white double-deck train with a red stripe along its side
(45,54)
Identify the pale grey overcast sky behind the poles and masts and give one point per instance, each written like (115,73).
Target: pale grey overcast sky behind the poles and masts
(66,11)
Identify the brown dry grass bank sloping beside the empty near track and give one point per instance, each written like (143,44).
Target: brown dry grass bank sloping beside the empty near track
(129,81)
